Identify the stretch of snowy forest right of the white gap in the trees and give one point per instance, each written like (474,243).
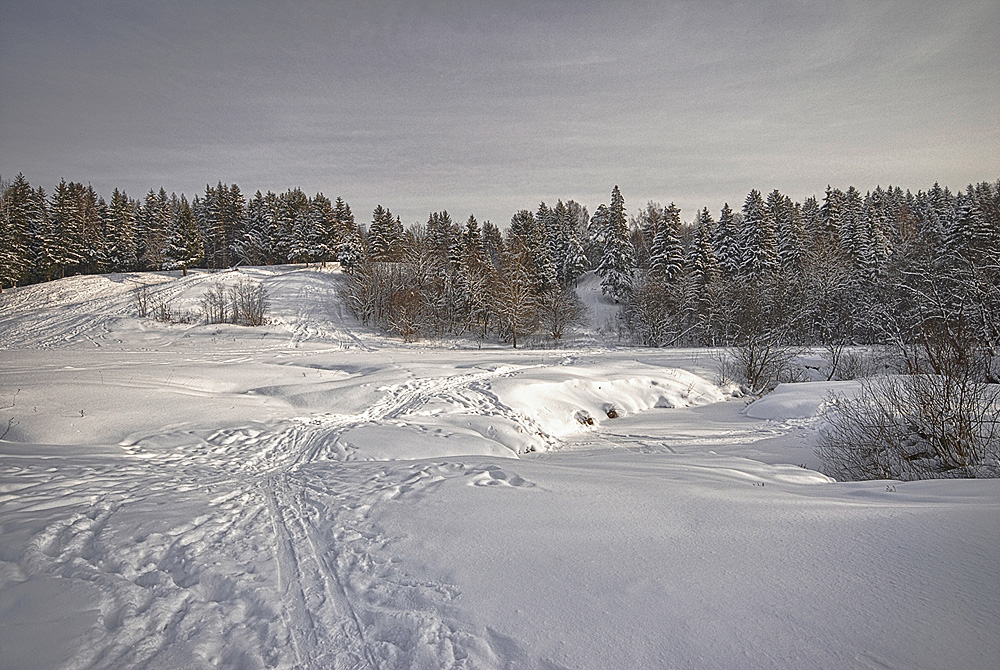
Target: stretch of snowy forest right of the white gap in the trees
(846,268)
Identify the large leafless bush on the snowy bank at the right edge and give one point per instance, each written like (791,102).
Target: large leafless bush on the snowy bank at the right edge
(940,419)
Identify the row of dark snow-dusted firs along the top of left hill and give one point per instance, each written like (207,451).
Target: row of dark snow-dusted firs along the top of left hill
(75,231)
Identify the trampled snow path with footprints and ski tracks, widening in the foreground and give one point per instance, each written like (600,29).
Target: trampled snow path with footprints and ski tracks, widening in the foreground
(335,596)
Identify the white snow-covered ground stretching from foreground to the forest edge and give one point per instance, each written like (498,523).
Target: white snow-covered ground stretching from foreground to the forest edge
(313,495)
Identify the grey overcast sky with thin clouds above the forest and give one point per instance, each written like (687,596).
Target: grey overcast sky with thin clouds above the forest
(491,107)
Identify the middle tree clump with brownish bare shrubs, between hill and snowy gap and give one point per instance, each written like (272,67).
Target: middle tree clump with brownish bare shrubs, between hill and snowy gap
(474,280)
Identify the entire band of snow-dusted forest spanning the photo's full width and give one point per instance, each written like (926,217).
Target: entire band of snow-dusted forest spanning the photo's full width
(845,268)
